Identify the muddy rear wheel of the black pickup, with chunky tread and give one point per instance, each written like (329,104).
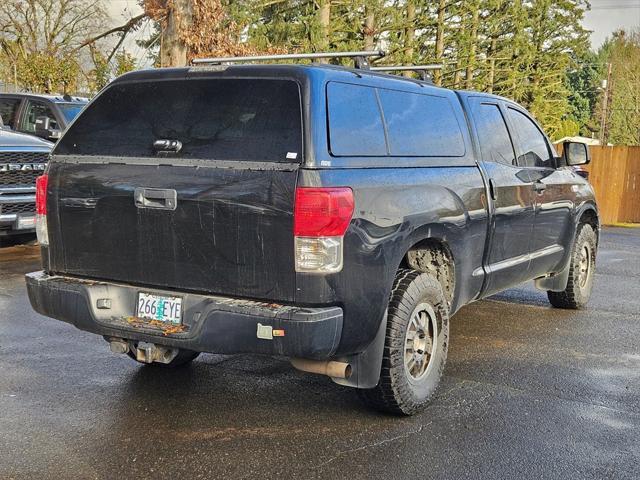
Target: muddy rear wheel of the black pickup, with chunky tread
(416,344)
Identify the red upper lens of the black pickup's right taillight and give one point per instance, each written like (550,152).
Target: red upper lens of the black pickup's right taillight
(322,212)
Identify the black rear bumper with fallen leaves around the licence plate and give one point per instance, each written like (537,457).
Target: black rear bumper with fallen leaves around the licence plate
(210,324)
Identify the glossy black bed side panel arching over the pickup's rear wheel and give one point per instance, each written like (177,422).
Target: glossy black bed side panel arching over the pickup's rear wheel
(395,210)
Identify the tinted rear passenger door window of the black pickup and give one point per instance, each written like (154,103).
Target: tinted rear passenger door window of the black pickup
(495,142)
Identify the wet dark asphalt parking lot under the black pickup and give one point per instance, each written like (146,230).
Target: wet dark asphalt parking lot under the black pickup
(528,392)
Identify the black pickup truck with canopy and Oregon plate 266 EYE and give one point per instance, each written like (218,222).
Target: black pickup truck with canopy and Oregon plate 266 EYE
(334,216)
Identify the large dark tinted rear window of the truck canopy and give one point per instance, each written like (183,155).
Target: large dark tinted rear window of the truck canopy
(222,119)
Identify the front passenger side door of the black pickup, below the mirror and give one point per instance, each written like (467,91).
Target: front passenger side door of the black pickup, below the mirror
(553,195)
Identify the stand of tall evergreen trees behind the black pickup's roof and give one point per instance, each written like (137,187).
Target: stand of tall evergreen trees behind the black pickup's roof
(527,50)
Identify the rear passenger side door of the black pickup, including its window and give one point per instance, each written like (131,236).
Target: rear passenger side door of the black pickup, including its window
(512,199)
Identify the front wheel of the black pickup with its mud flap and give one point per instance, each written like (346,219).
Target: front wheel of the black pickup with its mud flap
(581,271)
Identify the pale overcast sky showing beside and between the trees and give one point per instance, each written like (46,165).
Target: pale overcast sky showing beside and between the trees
(604,17)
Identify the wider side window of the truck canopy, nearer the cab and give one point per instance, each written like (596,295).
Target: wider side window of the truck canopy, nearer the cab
(421,125)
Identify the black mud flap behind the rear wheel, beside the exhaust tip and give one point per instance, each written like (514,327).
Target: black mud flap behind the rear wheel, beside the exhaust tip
(366,365)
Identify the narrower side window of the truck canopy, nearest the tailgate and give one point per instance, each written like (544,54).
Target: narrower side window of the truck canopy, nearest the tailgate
(355,123)
